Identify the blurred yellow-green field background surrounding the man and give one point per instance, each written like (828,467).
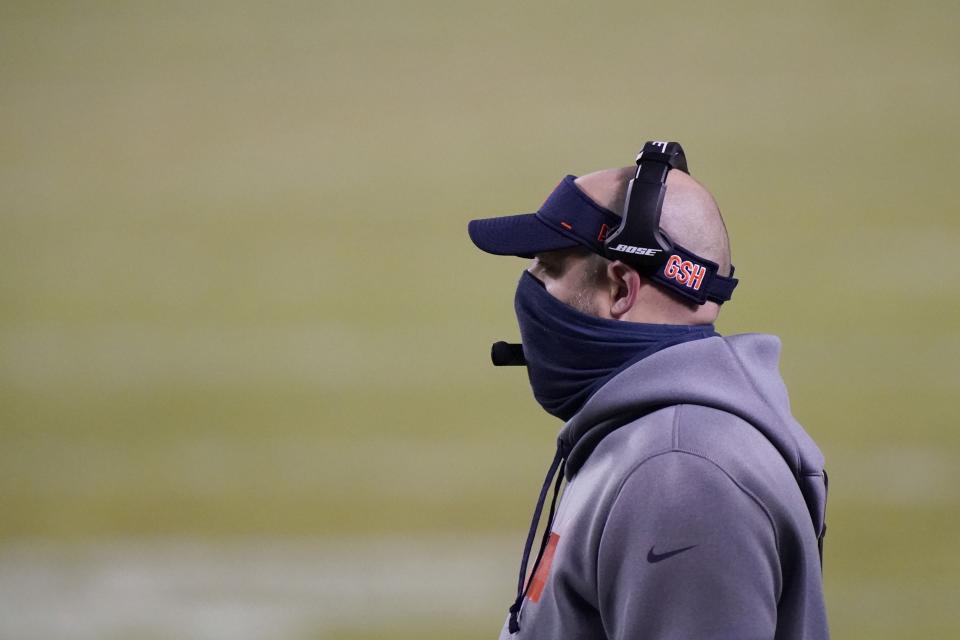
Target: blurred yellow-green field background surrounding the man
(245,388)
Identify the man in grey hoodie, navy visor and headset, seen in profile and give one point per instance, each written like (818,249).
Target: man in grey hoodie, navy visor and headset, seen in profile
(695,503)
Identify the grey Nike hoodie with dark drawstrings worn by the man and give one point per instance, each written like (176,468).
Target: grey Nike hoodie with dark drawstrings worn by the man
(693,508)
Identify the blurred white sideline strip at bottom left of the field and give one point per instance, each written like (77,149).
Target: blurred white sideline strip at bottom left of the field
(251,590)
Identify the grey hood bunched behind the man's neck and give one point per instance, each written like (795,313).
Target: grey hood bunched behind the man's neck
(738,374)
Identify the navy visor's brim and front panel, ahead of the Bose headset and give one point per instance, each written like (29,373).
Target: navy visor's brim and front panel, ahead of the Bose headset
(568,218)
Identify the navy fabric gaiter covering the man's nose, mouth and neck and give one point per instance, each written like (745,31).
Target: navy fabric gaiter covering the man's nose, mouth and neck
(571,354)
